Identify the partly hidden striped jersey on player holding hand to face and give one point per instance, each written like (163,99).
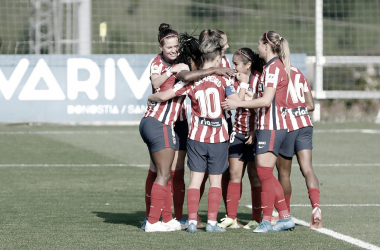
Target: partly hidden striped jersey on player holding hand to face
(245,118)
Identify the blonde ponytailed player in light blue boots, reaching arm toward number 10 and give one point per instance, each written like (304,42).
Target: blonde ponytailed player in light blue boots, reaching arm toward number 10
(271,128)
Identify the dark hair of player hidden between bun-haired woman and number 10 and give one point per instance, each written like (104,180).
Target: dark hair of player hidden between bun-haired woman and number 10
(188,50)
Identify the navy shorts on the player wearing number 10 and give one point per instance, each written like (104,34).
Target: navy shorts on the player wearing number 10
(210,156)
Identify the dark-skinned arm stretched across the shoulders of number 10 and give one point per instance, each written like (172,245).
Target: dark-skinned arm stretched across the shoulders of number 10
(189,76)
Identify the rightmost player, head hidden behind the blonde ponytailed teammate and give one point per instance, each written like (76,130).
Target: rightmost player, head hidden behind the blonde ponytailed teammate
(299,141)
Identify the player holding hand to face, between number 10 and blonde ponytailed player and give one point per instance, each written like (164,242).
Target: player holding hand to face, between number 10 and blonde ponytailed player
(248,67)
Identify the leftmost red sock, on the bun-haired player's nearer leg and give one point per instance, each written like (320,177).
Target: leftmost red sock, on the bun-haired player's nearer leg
(157,202)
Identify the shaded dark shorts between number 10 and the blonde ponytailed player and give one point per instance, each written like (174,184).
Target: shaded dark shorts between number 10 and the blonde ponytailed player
(238,148)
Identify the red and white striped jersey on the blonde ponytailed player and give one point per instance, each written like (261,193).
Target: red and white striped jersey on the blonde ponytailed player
(275,76)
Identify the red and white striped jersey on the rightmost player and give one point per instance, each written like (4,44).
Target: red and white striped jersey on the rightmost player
(297,115)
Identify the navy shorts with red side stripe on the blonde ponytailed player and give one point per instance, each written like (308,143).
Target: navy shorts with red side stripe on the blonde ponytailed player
(269,141)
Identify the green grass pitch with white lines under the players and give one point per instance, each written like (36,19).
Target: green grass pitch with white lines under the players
(51,197)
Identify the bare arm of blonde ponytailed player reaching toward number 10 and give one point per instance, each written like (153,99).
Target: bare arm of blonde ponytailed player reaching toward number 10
(264,101)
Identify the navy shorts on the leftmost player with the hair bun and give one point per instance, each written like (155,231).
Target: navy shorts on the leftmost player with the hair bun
(157,135)
